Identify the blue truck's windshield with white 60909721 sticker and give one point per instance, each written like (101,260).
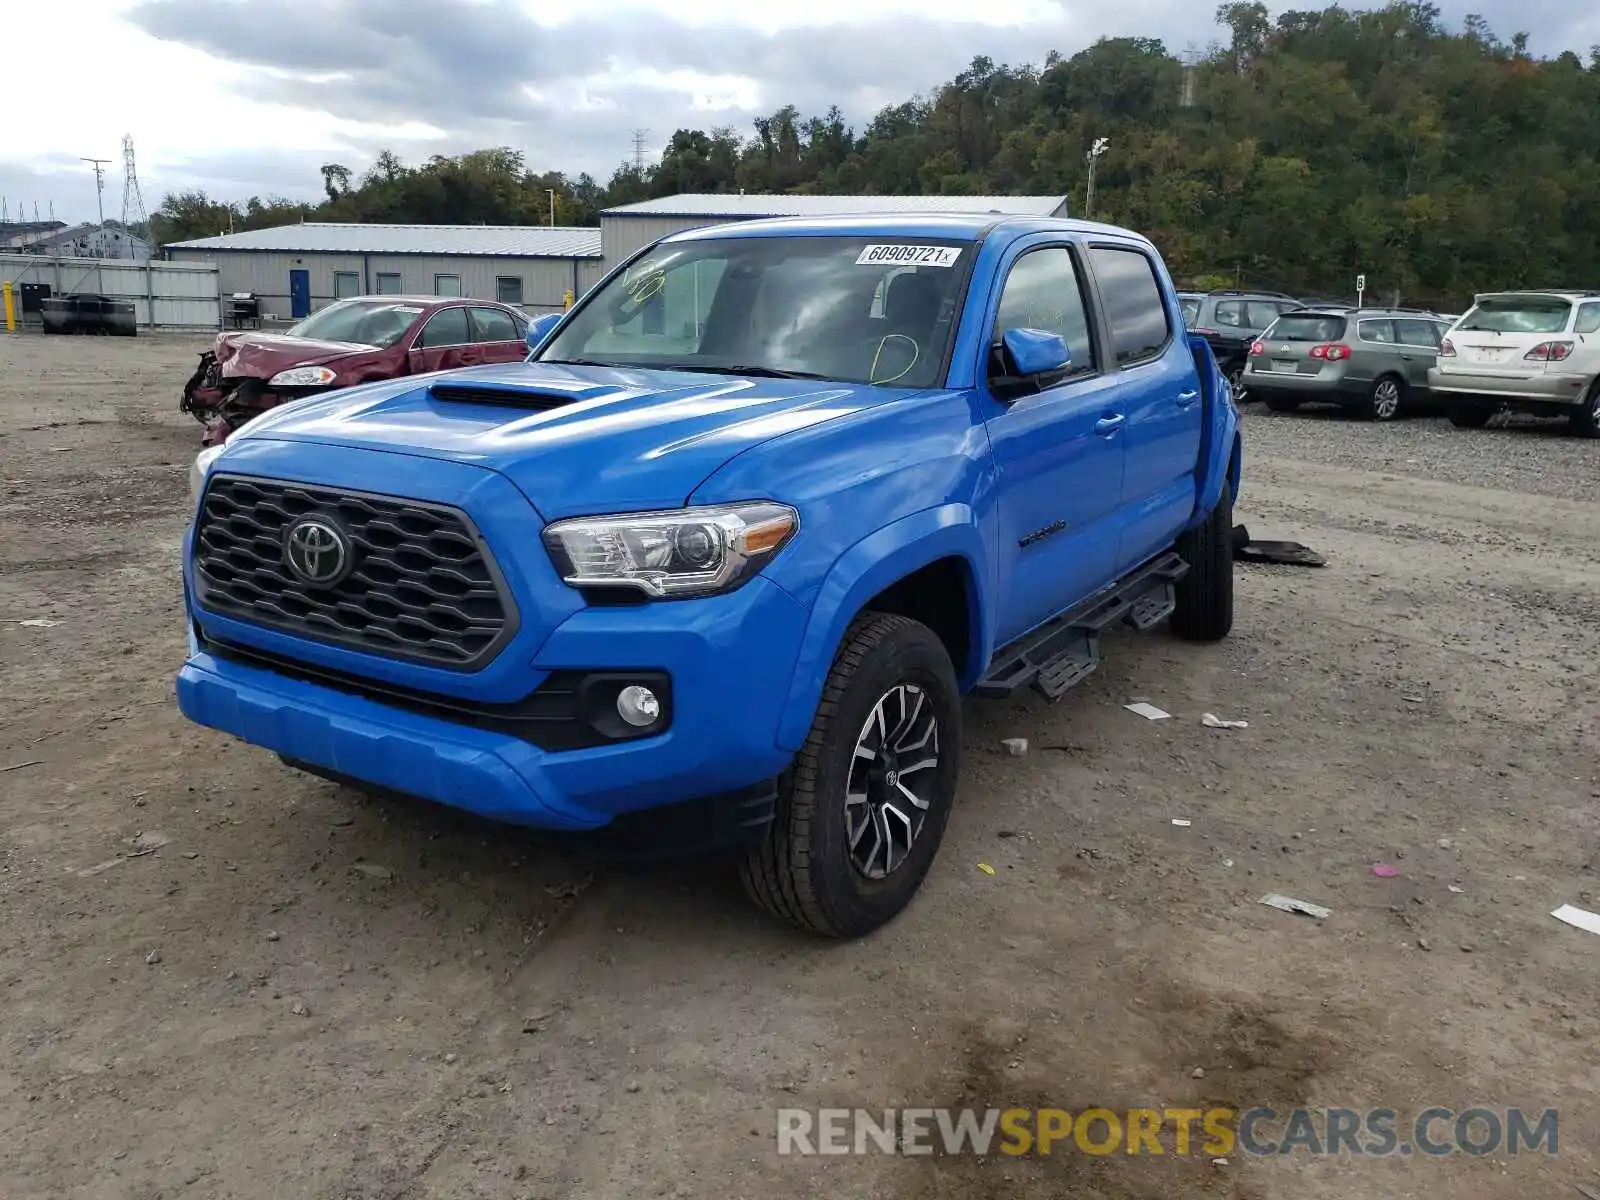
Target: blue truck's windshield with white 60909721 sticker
(857,310)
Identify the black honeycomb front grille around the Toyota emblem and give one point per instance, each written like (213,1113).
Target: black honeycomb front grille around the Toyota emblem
(422,586)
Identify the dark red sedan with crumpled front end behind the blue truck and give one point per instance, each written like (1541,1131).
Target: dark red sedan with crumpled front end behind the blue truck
(351,342)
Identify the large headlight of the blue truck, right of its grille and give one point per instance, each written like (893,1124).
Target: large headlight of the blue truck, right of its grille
(671,554)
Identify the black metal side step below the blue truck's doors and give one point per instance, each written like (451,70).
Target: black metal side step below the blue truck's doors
(1065,652)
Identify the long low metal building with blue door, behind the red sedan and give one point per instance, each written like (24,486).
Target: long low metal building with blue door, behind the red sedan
(297,270)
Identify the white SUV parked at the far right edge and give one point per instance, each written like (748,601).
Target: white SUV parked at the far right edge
(1527,353)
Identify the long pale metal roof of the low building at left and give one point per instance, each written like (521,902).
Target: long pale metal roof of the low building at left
(335,238)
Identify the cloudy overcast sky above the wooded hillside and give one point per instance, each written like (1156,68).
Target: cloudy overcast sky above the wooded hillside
(252,97)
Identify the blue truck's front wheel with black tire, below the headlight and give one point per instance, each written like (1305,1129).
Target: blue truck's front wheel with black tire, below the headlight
(807,871)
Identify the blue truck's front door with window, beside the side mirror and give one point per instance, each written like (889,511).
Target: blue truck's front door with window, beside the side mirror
(1058,449)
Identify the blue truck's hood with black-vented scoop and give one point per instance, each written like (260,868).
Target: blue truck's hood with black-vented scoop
(574,439)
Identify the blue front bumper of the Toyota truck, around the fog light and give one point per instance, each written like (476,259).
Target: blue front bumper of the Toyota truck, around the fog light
(730,662)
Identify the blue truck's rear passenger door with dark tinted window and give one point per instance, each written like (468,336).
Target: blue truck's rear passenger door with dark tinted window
(1159,388)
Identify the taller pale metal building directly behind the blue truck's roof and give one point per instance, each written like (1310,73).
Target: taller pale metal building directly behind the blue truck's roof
(631,228)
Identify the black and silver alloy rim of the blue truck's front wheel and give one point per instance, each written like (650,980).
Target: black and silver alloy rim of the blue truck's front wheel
(892,780)
